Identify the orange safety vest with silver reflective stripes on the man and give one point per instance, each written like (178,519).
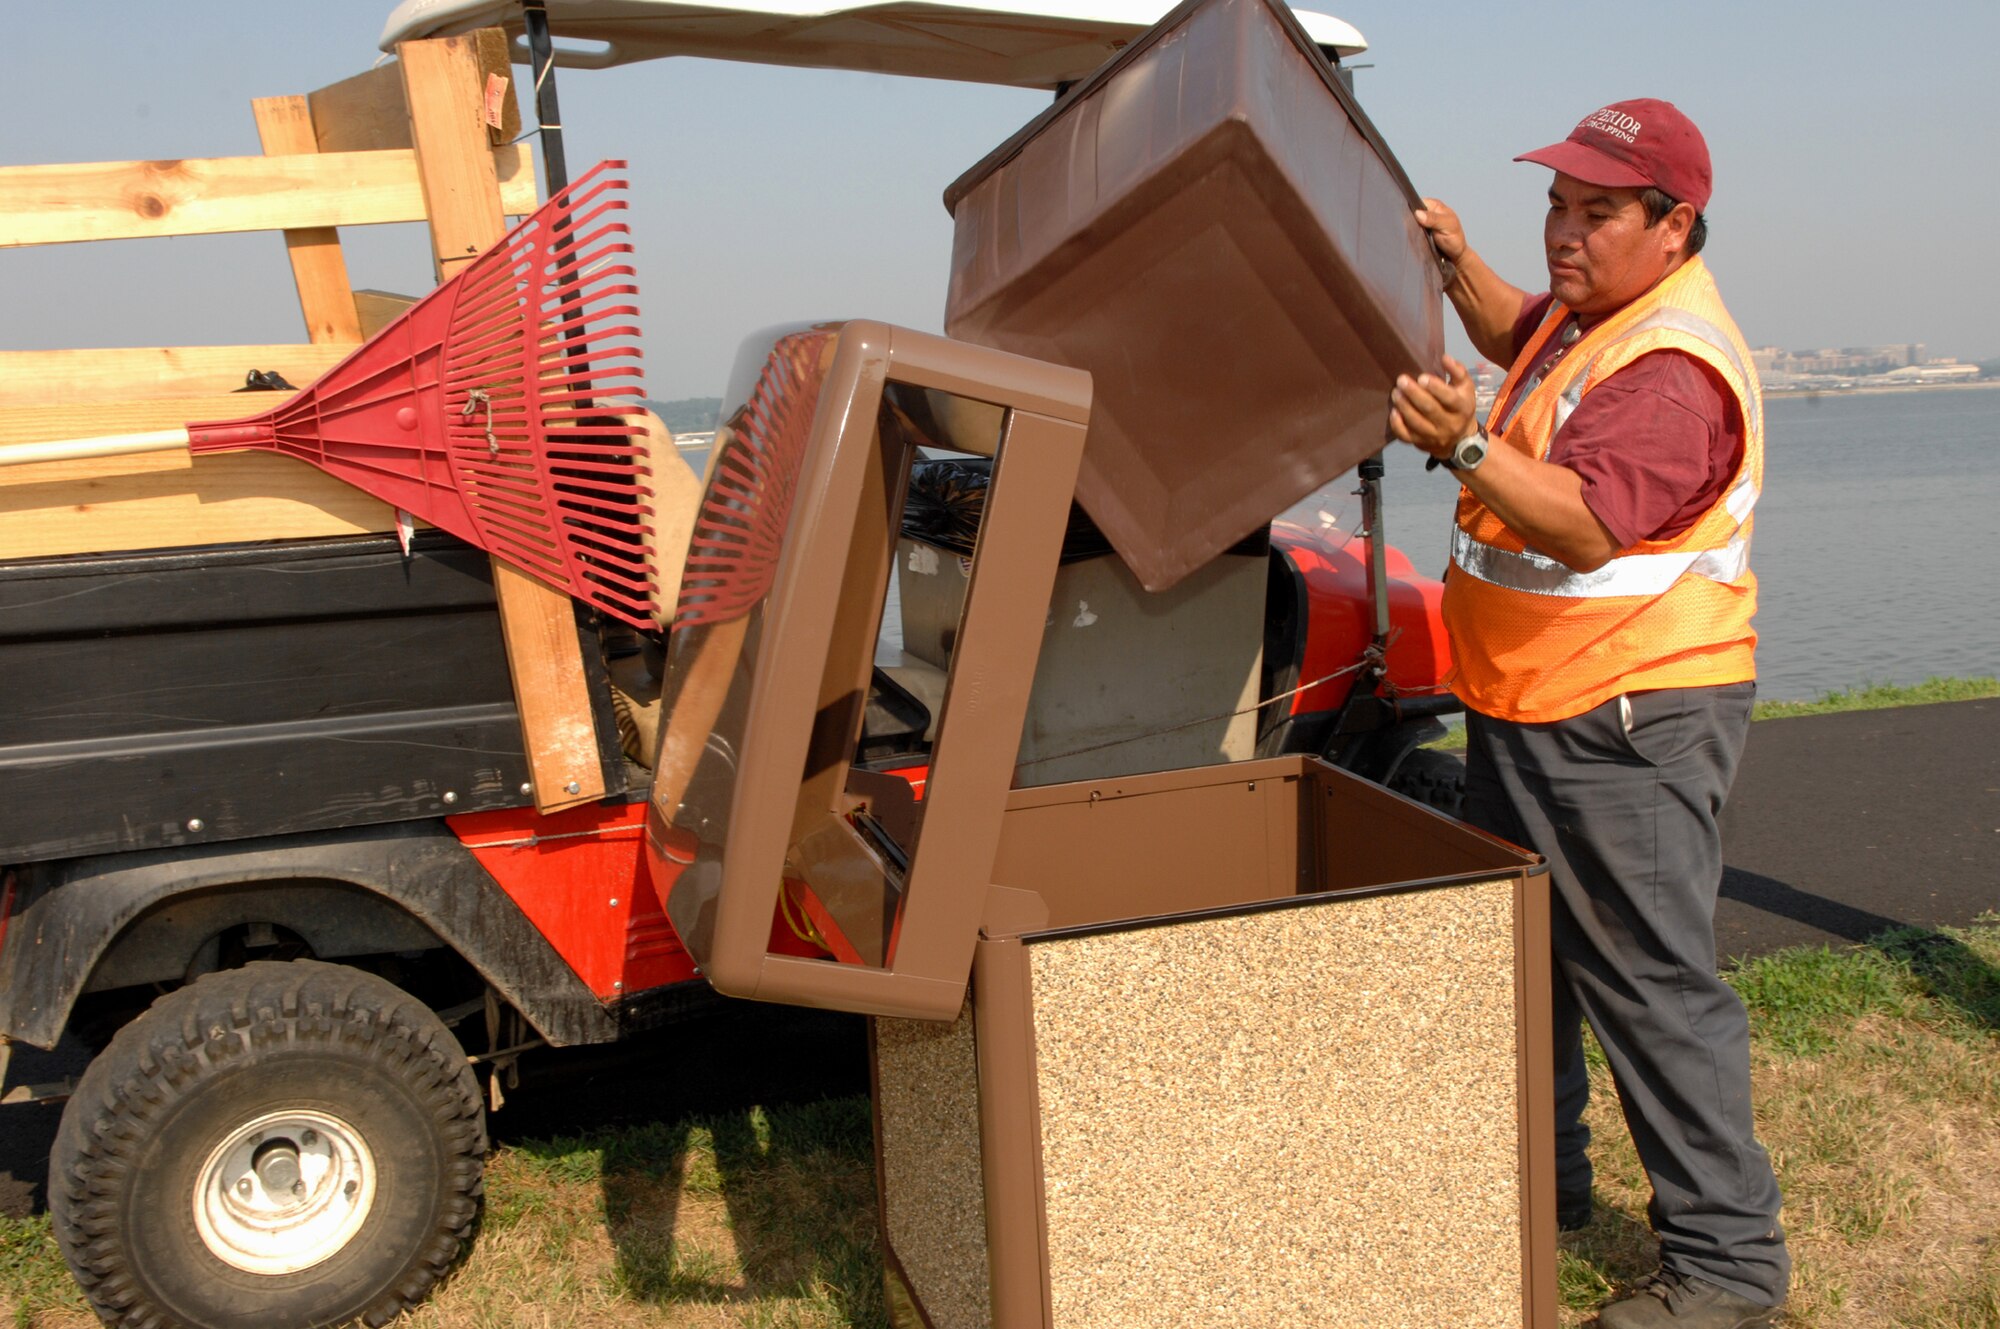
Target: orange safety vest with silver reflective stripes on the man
(1539,641)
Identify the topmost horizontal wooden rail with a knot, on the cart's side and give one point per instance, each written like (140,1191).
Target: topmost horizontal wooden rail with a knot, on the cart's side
(119,201)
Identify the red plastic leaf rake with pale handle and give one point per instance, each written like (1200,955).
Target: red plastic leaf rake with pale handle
(501,407)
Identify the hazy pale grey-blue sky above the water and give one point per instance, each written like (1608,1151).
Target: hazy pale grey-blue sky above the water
(1857,163)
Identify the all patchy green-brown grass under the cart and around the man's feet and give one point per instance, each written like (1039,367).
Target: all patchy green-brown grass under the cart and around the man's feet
(1877,1086)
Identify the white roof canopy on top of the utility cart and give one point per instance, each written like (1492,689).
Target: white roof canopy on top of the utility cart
(967,41)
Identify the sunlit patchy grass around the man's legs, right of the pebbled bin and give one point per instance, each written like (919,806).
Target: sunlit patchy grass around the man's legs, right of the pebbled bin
(1877,1088)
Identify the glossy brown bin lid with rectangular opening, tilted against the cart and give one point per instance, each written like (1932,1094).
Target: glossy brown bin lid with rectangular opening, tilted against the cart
(773,651)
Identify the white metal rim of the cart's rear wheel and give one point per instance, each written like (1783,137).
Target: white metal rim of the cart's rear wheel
(285,1192)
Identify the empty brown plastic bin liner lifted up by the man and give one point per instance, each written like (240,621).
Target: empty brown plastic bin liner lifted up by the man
(1219,235)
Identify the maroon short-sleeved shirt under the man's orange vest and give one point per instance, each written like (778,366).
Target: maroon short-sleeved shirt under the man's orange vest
(1655,443)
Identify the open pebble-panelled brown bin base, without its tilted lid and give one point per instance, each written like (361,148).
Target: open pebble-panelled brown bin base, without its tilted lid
(1277,1058)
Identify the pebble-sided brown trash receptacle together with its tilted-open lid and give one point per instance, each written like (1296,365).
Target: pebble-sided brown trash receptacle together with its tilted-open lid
(1237,1040)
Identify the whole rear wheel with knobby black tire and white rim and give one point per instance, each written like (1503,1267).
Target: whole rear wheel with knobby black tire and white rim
(285,1144)
